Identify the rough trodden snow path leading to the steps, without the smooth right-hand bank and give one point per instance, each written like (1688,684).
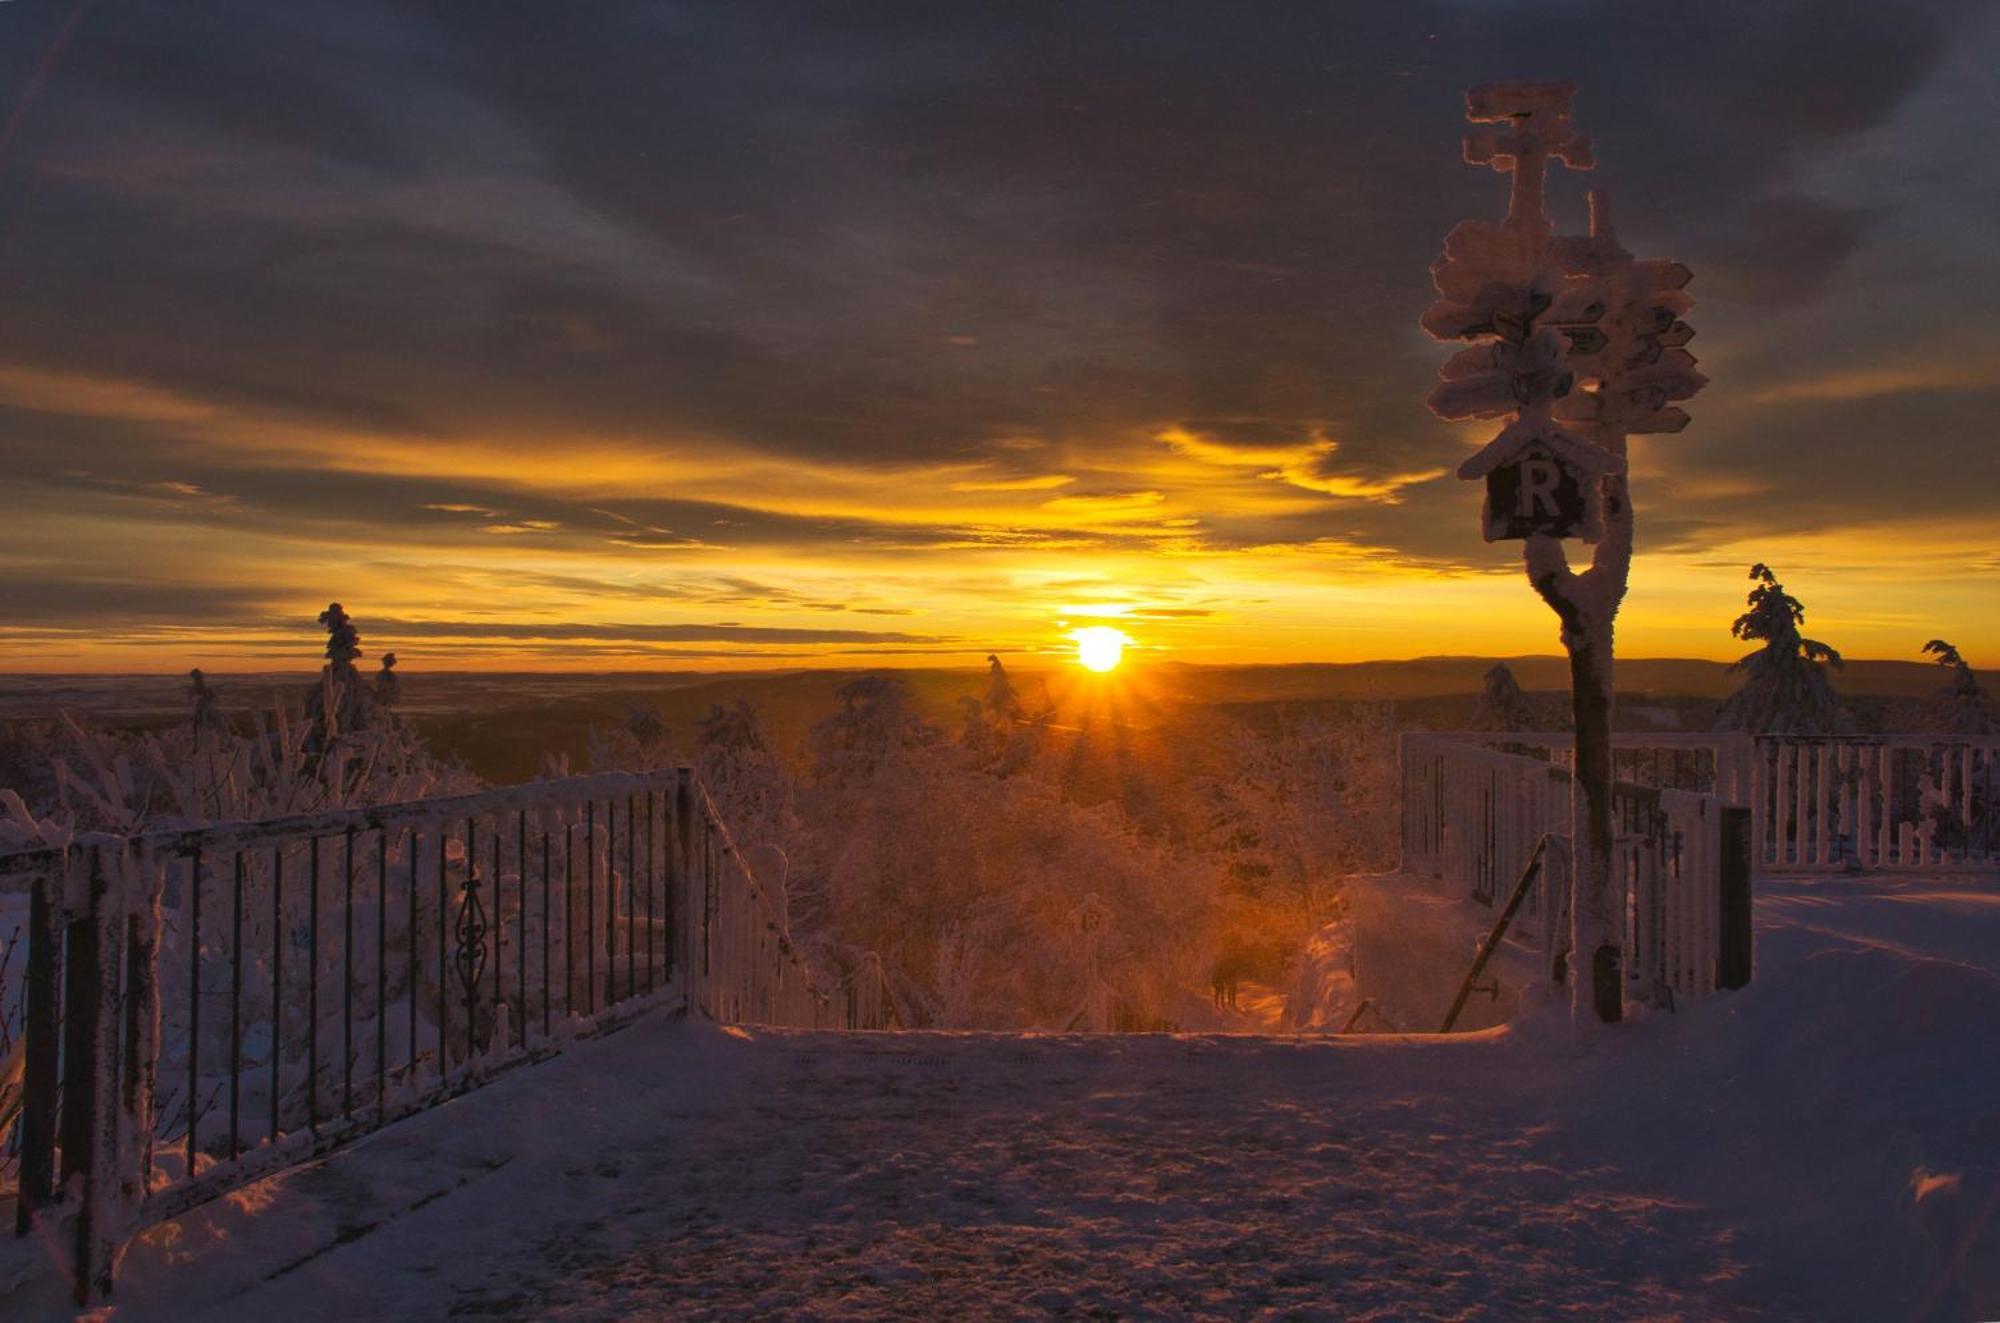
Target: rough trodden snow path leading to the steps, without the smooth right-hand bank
(681,1170)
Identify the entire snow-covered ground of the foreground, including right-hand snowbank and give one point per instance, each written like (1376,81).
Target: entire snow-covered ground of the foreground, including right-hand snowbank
(1821,1146)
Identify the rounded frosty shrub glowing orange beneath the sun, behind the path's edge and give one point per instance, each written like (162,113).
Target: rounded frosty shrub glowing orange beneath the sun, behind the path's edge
(969,886)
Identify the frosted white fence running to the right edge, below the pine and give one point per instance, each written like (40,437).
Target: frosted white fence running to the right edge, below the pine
(1825,802)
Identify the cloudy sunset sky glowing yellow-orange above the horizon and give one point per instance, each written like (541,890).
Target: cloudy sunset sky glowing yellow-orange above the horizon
(605,337)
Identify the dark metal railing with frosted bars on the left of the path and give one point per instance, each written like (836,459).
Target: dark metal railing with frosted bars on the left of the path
(211,1004)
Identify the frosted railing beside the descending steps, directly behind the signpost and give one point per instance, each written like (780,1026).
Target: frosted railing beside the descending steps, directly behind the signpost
(1473,818)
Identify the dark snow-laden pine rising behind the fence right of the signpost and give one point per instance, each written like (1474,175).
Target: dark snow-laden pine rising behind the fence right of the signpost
(1787,688)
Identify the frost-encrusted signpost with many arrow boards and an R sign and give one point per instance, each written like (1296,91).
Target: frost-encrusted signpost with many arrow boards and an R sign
(1577,347)
